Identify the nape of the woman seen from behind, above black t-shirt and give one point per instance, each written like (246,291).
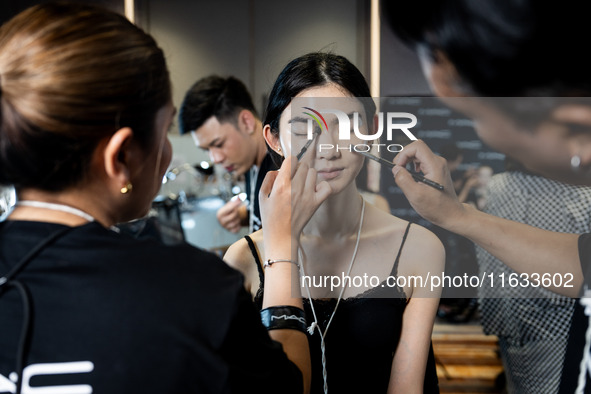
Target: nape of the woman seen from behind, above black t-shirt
(76,199)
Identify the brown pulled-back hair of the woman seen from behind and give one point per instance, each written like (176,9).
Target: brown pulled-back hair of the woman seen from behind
(60,95)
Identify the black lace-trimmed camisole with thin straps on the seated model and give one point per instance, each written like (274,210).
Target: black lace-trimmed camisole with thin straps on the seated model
(361,340)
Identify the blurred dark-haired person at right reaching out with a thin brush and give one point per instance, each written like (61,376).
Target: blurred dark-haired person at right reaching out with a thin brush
(517,69)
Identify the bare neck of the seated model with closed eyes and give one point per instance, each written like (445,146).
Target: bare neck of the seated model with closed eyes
(338,216)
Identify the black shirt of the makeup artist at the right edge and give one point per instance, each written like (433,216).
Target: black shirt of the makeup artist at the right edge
(577,345)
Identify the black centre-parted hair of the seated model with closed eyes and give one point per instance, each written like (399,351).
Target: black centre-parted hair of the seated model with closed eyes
(314,69)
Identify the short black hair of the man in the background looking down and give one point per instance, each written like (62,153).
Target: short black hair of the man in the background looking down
(215,96)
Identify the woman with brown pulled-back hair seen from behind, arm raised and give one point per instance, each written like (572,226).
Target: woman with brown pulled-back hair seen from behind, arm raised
(85,103)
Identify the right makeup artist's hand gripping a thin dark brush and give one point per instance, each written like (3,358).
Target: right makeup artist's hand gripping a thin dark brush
(439,207)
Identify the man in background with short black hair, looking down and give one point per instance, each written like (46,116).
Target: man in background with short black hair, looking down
(220,115)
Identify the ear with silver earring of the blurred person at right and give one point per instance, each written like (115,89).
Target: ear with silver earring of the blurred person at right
(579,140)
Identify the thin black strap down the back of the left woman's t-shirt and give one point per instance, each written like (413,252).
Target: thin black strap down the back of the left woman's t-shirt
(9,280)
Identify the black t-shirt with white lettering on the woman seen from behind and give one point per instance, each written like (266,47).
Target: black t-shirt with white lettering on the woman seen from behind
(128,316)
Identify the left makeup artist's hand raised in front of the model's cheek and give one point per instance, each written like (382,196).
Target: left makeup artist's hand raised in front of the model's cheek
(288,198)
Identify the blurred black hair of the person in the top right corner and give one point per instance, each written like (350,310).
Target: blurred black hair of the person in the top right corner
(502,48)
